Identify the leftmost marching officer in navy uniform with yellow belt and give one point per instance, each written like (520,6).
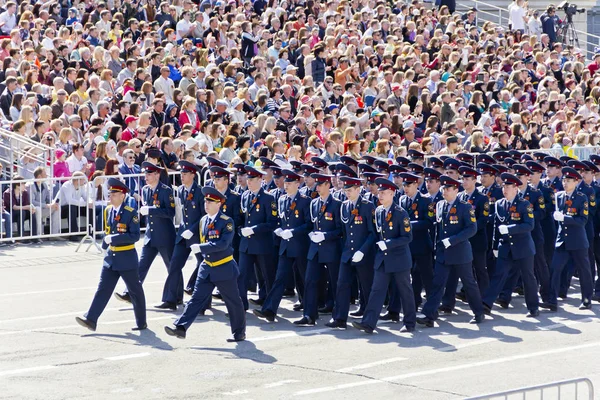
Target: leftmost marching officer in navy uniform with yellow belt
(122,228)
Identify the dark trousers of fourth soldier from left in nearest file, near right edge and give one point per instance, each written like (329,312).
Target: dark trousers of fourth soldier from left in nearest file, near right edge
(579,259)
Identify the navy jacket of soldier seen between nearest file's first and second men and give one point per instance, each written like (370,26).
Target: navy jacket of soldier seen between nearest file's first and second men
(421,212)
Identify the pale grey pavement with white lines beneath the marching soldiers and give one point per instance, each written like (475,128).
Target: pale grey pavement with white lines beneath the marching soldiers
(44,354)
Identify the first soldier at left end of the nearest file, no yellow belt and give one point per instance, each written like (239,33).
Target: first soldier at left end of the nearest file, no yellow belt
(393,260)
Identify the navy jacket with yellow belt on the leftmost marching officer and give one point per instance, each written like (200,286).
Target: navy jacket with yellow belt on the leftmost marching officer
(126,226)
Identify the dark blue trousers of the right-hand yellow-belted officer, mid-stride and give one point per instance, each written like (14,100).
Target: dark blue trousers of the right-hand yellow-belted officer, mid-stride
(202,292)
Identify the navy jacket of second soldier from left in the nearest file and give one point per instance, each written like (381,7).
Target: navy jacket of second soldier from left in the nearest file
(458,225)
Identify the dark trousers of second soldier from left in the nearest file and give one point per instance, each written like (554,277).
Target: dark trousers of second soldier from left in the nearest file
(440,278)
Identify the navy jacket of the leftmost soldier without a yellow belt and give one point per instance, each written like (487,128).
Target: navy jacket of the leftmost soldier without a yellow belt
(160,230)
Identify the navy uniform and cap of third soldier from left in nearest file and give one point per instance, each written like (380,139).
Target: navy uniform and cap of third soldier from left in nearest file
(516,249)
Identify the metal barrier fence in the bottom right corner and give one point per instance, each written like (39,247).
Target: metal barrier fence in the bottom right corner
(568,389)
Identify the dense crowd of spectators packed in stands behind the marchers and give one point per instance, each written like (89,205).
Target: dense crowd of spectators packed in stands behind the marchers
(107,85)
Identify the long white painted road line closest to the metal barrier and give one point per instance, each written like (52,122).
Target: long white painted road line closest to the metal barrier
(447,369)
